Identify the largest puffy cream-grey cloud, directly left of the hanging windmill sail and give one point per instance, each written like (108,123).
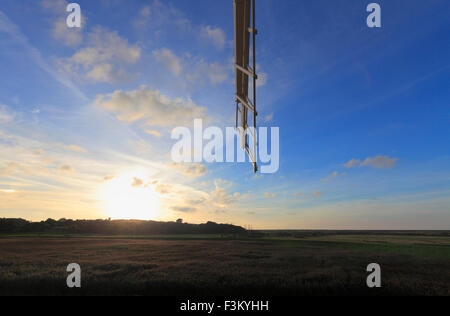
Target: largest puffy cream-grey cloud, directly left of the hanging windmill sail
(150,107)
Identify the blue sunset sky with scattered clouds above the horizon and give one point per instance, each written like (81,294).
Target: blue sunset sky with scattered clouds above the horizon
(86,114)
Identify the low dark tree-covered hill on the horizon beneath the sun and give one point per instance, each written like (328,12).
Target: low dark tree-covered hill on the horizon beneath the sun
(114,227)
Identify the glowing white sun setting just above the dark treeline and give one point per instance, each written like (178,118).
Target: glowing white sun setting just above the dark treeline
(127,197)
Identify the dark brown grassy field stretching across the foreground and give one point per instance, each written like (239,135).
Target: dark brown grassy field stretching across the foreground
(313,264)
